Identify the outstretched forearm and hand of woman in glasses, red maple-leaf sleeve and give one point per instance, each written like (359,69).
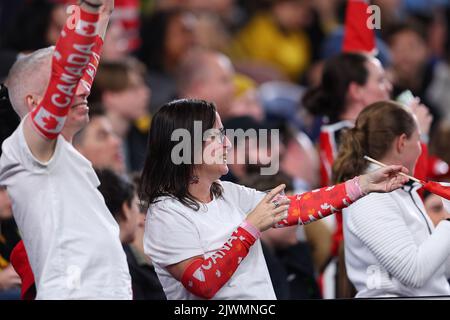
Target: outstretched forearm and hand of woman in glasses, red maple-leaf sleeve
(317,204)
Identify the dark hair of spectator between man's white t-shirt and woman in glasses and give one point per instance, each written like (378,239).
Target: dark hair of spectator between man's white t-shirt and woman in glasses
(116,190)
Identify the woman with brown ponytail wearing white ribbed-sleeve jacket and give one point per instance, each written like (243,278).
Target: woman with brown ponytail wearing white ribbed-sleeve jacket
(391,245)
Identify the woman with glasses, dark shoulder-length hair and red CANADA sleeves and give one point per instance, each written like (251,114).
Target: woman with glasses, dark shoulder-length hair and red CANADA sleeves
(201,233)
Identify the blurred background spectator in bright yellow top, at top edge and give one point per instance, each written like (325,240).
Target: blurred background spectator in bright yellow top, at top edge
(276,38)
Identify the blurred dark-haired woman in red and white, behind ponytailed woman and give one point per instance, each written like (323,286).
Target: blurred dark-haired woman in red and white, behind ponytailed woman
(350,82)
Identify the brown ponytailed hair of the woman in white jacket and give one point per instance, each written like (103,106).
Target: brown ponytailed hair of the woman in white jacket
(376,128)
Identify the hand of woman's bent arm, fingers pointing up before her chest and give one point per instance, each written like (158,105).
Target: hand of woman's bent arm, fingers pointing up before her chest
(269,211)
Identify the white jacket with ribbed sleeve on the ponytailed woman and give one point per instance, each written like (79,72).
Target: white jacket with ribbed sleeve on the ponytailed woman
(392,247)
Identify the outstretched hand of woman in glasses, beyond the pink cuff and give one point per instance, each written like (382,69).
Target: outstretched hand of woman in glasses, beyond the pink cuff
(386,179)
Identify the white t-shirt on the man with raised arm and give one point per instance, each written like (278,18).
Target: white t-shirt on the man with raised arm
(70,236)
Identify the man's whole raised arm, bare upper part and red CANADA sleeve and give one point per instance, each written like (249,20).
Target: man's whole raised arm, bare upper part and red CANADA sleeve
(73,53)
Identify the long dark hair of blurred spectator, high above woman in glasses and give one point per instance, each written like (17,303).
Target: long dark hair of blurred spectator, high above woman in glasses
(153,34)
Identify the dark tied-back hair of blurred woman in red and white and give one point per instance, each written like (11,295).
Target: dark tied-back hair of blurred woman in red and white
(329,98)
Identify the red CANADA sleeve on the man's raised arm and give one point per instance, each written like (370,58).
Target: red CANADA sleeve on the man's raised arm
(73,53)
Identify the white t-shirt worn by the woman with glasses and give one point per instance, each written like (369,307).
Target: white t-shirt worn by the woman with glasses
(174,232)
